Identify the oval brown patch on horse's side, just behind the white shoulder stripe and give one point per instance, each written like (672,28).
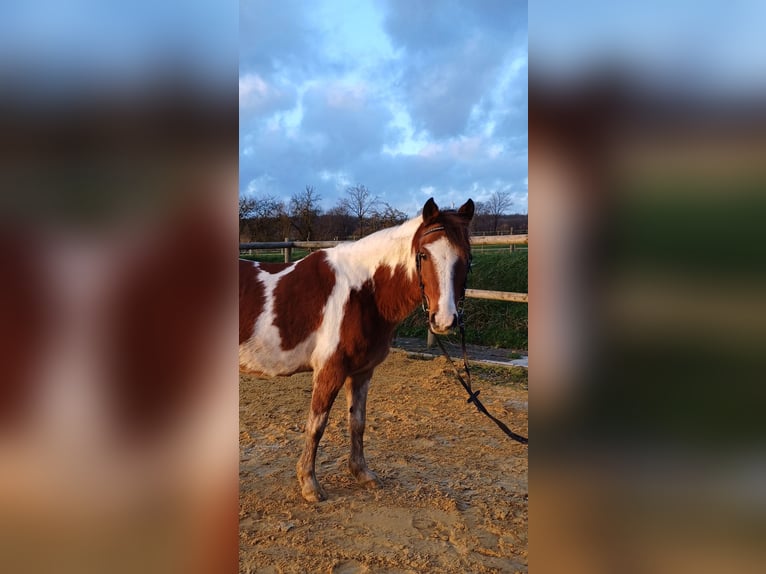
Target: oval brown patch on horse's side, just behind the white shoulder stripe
(300,298)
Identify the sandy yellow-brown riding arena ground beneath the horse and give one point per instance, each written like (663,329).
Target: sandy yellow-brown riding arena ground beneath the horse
(454,488)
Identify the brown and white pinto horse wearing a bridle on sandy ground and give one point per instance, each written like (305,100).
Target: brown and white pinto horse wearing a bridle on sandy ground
(334,312)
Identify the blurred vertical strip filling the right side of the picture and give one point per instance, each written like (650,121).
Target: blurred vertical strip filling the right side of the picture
(647,130)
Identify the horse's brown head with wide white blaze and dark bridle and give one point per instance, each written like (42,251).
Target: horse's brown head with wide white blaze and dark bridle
(443,251)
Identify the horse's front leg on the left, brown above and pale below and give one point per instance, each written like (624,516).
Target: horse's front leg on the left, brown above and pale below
(327,383)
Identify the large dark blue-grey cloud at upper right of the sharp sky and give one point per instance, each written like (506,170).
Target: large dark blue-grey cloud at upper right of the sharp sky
(454,55)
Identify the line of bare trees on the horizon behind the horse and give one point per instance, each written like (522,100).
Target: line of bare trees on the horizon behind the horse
(359,212)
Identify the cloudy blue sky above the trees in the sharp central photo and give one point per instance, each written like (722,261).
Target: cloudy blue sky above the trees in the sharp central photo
(412,98)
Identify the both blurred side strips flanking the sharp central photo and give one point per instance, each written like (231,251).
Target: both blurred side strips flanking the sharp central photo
(118,394)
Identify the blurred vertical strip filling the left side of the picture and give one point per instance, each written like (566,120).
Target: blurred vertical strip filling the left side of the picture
(118,186)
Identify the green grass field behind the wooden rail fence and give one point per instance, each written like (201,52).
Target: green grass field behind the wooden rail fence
(490,323)
